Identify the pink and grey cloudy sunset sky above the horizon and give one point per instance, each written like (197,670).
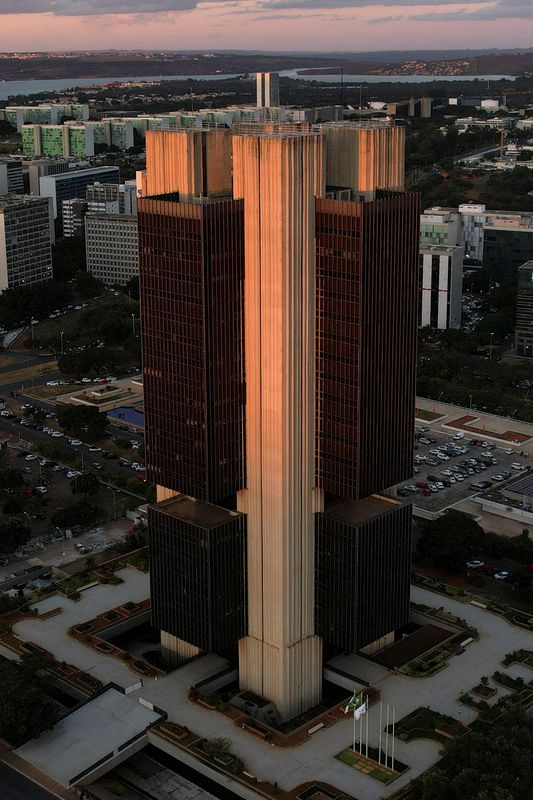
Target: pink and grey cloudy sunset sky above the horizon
(349,25)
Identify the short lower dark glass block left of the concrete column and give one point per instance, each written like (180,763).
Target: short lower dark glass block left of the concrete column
(198,572)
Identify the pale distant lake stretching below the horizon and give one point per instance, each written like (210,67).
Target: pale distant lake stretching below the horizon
(8,88)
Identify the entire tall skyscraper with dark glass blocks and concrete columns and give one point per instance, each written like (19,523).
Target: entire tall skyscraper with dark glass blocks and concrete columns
(279,340)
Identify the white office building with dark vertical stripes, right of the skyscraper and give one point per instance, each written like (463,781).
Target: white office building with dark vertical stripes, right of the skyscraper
(441,286)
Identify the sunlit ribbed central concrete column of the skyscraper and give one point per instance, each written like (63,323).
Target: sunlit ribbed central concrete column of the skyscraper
(279,175)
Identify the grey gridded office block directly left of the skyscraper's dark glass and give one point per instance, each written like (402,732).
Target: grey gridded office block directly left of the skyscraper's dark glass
(111,247)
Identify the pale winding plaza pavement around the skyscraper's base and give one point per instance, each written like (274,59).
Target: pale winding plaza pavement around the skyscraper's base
(314,760)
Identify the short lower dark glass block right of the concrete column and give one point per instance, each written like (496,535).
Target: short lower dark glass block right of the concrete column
(362,571)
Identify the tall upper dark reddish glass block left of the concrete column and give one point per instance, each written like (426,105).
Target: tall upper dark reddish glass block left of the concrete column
(191,278)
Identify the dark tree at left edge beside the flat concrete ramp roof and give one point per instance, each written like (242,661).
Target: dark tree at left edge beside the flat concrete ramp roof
(27,708)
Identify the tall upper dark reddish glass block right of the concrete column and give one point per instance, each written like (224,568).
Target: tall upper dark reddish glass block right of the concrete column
(367,299)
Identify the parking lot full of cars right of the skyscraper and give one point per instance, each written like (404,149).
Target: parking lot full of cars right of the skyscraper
(446,468)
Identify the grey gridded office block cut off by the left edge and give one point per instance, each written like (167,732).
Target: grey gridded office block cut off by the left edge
(26,237)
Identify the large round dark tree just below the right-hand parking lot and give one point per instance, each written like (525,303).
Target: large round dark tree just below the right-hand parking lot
(451,540)
